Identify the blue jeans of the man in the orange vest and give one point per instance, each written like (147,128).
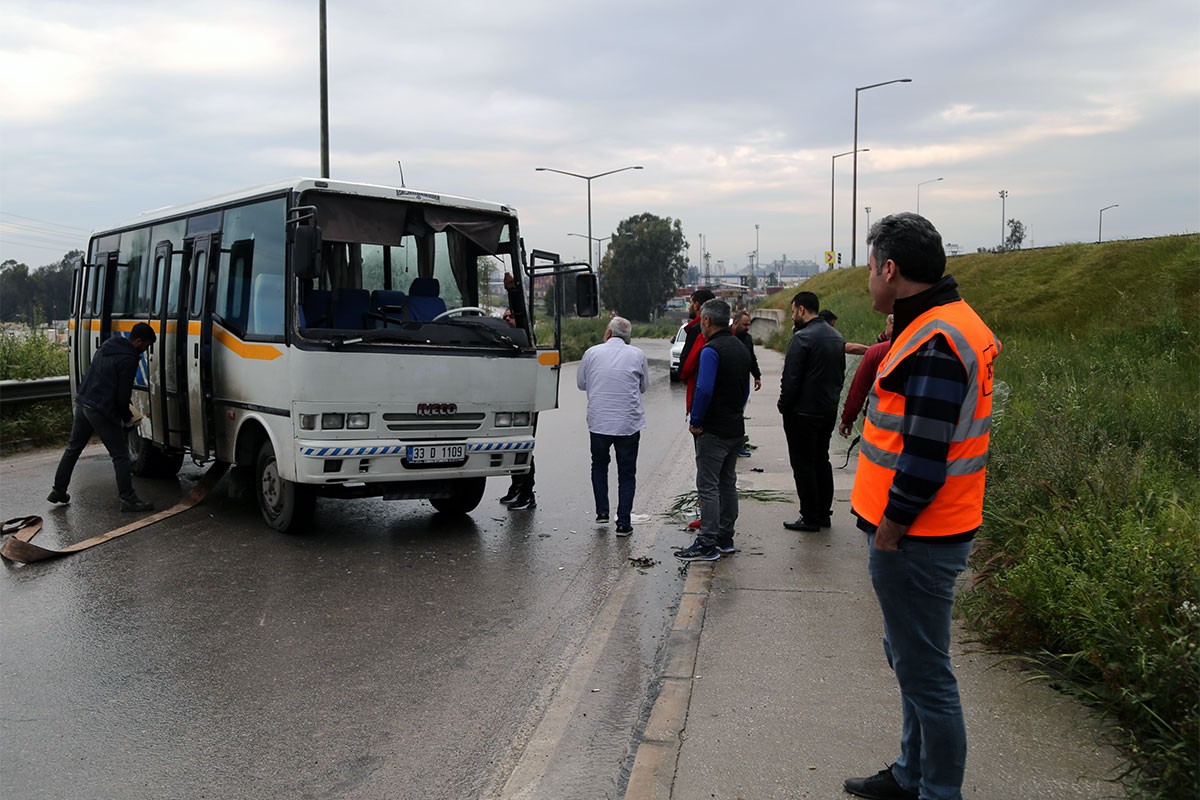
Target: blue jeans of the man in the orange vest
(915,587)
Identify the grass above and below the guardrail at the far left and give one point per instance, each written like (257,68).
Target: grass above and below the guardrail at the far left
(21,359)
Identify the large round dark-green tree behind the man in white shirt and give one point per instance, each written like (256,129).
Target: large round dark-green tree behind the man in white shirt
(645,264)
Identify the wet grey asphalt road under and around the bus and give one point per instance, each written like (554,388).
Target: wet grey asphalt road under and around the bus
(389,653)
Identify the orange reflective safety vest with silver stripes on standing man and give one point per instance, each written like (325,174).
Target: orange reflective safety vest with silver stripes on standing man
(958,506)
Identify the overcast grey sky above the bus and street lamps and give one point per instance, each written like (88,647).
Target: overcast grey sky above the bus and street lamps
(735,110)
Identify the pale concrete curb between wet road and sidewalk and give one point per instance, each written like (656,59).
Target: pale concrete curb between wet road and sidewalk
(655,766)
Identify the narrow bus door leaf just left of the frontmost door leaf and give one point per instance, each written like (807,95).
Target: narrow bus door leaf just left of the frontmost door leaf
(169,365)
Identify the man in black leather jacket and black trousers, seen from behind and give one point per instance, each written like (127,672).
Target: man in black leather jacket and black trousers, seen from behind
(814,371)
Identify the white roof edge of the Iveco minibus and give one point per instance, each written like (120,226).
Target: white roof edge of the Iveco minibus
(303,185)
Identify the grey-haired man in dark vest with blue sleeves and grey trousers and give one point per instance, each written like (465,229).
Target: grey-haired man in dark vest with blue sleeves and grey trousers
(717,423)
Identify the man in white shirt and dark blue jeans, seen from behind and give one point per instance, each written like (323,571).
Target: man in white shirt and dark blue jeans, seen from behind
(615,375)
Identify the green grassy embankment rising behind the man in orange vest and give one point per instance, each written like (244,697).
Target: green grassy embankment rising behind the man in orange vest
(1088,563)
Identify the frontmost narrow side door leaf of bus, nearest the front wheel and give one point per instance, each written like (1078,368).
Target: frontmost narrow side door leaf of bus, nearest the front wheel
(200,341)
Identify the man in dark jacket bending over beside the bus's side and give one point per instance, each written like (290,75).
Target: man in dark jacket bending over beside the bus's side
(103,407)
